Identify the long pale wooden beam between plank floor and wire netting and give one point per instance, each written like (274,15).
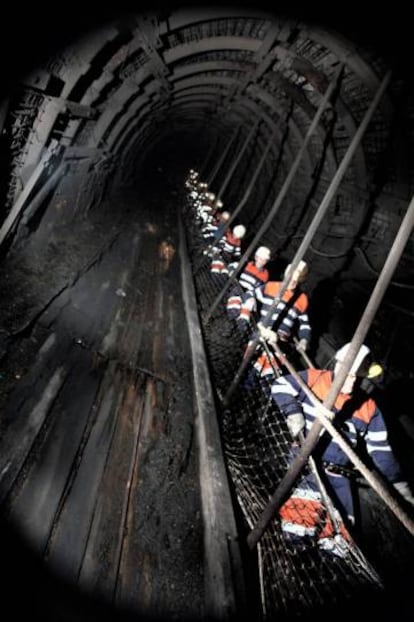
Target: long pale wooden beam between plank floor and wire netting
(224,583)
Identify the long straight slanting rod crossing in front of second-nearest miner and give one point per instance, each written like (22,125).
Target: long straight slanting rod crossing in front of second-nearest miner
(322,209)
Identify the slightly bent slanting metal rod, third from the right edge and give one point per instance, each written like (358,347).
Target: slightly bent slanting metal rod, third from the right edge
(282,193)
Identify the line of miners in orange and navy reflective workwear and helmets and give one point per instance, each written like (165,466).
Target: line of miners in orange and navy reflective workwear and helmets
(276,312)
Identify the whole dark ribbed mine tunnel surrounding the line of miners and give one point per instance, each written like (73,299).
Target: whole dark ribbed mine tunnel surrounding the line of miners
(135,460)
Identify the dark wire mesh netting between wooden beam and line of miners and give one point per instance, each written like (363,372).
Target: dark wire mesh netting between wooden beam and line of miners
(296,573)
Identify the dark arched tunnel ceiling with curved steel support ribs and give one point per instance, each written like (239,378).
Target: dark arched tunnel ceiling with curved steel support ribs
(141,76)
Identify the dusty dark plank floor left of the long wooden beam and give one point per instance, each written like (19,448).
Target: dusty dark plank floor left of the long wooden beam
(98,451)
